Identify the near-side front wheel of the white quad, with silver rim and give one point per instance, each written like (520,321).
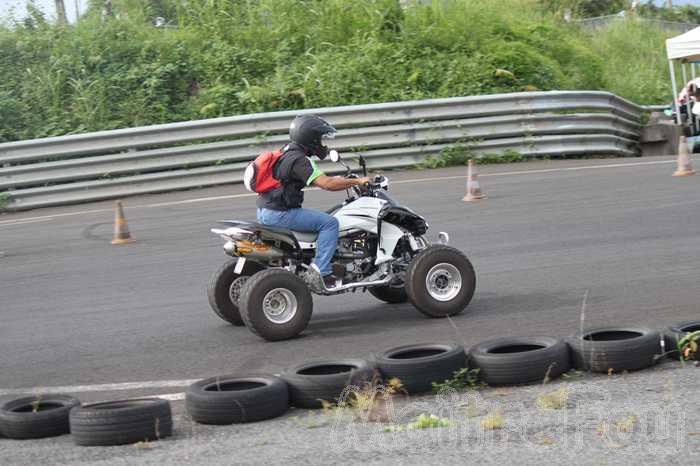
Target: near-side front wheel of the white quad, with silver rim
(440,281)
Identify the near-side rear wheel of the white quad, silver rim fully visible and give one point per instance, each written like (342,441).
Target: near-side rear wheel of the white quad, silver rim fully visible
(276,304)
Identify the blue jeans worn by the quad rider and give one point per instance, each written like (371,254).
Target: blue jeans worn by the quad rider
(307,220)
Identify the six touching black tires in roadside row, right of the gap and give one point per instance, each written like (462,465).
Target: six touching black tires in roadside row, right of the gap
(504,361)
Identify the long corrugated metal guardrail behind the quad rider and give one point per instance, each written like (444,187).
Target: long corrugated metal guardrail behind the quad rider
(110,164)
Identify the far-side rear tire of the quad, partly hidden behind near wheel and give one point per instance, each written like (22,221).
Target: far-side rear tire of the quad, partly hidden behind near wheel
(220,285)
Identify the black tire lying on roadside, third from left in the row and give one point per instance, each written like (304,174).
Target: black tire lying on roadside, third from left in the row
(231,399)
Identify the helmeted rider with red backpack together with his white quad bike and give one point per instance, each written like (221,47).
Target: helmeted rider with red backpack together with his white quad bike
(368,243)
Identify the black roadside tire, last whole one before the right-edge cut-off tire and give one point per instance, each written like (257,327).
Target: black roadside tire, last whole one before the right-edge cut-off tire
(616,348)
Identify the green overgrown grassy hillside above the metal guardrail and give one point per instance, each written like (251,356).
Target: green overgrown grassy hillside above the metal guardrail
(228,57)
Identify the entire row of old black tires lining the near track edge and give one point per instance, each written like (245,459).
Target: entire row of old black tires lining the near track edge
(237,399)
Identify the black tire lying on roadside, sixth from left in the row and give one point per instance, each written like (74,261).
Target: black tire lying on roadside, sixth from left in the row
(517,360)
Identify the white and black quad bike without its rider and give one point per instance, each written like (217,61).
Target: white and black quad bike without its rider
(381,249)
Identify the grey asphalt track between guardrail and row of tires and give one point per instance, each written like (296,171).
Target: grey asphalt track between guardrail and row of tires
(75,310)
